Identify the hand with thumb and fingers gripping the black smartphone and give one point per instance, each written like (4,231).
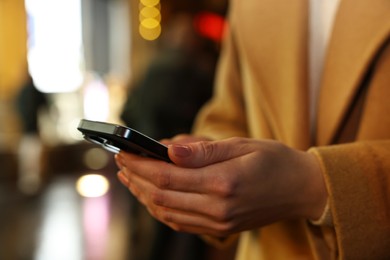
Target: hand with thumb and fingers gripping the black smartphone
(223,187)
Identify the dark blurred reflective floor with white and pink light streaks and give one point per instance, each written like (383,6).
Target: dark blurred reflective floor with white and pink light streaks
(58,223)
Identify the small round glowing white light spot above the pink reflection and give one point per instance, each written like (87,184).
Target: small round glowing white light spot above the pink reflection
(92,185)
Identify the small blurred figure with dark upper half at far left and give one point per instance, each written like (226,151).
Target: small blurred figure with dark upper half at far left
(29,103)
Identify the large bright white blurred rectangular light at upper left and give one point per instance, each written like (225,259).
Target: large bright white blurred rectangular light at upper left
(55,44)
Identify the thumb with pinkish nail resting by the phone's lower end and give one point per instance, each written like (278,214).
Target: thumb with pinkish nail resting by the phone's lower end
(200,154)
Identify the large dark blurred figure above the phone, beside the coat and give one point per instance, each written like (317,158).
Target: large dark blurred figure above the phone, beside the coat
(176,84)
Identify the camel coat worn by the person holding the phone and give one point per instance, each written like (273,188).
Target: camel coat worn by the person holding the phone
(262,92)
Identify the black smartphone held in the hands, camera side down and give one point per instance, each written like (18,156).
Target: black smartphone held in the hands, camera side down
(115,137)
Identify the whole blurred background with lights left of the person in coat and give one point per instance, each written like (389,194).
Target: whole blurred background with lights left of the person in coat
(147,64)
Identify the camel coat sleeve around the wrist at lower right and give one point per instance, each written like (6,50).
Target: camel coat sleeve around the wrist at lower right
(358,181)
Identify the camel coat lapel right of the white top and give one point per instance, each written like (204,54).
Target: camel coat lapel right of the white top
(361,27)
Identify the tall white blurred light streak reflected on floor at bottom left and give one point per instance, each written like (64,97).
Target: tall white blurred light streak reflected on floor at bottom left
(60,235)
